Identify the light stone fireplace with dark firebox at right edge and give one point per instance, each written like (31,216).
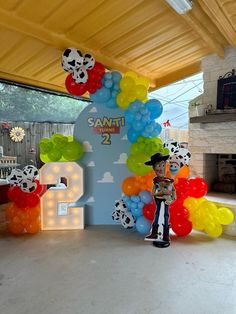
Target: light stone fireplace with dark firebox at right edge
(212,138)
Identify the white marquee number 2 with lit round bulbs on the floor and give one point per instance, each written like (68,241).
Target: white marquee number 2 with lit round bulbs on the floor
(57,200)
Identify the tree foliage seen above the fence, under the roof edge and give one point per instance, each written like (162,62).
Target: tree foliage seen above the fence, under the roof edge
(22,104)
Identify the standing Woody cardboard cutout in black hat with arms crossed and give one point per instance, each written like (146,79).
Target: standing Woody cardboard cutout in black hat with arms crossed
(164,194)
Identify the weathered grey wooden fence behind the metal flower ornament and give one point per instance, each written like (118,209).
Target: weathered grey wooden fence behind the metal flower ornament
(27,151)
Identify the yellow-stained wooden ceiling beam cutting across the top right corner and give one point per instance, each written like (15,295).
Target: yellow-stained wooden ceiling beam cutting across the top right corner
(219,18)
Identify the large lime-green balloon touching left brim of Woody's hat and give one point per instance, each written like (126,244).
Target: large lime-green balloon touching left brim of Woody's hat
(135,164)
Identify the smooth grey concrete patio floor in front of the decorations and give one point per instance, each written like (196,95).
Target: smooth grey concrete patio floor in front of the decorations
(110,270)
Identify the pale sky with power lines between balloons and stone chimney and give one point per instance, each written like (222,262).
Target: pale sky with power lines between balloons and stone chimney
(175,98)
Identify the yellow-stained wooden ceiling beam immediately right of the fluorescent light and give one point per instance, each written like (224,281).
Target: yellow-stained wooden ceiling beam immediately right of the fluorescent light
(200,23)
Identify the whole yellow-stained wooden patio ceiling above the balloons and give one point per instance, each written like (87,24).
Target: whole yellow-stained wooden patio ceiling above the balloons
(145,36)
